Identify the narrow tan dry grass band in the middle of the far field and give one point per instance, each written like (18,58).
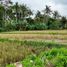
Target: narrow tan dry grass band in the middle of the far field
(34,36)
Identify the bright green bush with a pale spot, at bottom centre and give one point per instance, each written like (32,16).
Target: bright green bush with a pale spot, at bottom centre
(33,61)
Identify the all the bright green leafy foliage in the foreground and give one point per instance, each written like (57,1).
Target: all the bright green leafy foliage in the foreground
(52,58)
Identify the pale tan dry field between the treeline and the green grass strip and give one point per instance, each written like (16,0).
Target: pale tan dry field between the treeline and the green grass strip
(54,35)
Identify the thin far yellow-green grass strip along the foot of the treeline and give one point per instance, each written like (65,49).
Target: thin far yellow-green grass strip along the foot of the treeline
(61,32)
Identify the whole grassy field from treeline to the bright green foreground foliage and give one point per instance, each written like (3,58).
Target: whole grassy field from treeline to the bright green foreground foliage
(17,45)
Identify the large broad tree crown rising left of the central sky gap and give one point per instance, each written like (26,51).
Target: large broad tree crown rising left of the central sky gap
(21,11)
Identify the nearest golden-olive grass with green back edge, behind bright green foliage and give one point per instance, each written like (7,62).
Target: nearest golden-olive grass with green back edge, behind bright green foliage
(14,50)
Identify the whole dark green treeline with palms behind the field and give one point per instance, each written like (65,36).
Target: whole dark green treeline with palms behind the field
(19,17)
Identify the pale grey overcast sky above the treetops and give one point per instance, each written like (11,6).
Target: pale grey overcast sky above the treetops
(60,5)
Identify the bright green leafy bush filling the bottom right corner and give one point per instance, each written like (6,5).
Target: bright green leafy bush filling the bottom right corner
(57,57)
